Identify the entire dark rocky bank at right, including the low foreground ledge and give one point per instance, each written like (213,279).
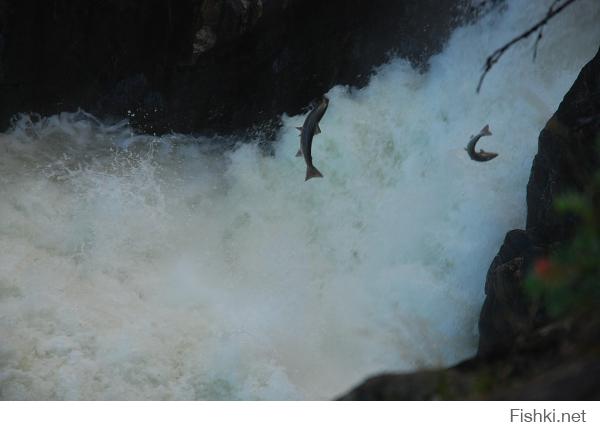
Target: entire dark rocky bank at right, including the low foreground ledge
(524,353)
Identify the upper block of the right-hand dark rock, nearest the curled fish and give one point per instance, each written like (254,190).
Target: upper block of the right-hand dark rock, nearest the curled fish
(567,155)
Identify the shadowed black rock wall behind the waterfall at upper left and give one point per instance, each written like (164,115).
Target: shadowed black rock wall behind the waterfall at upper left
(202,65)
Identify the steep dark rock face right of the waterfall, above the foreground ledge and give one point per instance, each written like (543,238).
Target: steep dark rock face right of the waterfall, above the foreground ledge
(567,159)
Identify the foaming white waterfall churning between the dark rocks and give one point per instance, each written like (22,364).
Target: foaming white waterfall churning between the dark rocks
(138,267)
